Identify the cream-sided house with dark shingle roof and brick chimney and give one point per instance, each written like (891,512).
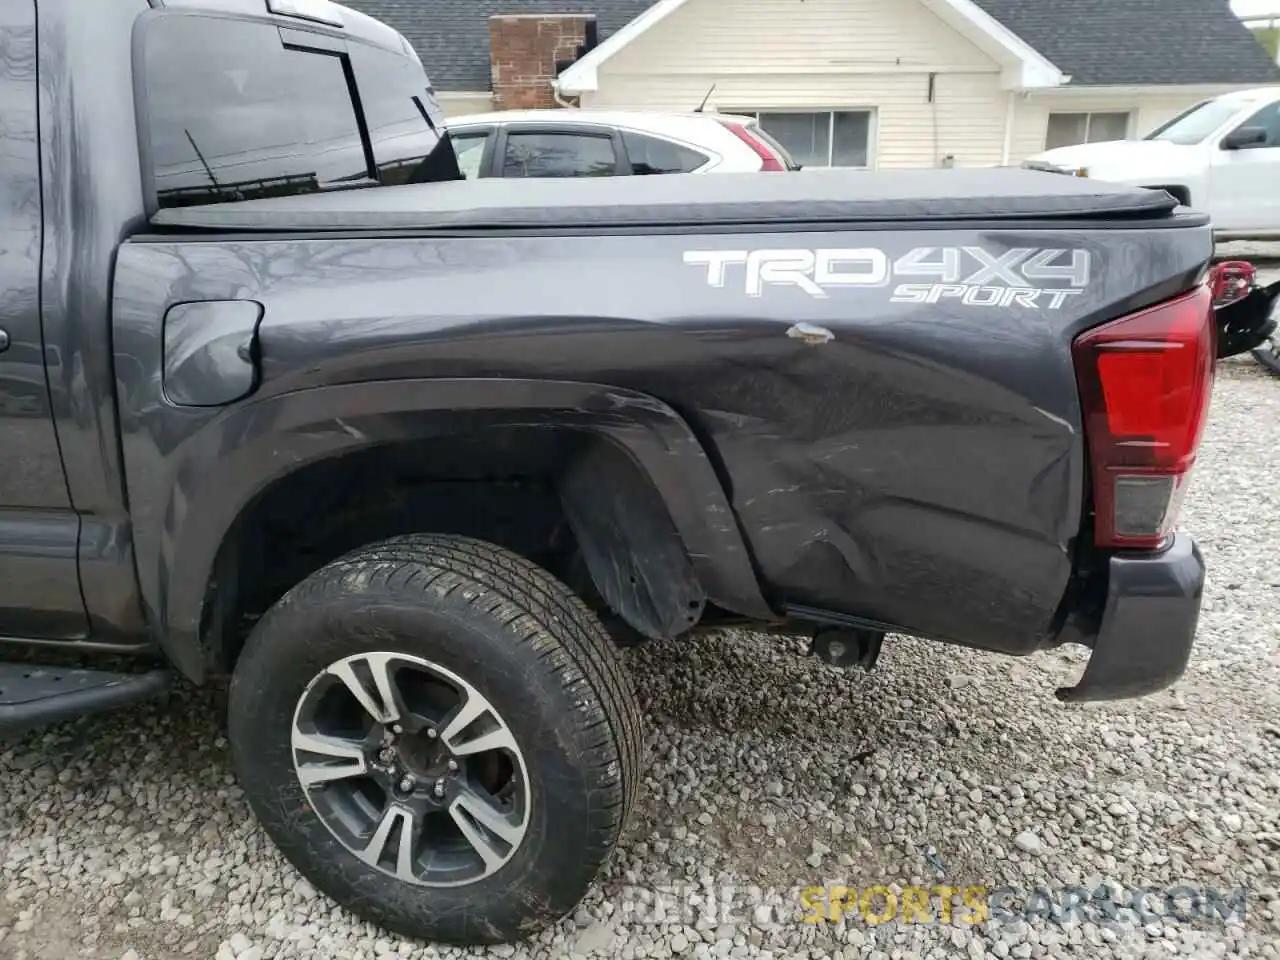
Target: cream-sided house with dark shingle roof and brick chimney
(889,84)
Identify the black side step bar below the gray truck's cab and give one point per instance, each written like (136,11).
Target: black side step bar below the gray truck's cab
(33,694)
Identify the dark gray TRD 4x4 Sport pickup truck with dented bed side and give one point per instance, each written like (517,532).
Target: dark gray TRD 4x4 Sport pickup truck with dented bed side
(406,459)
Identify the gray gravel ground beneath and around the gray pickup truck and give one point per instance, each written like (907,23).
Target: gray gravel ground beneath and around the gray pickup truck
(126,836)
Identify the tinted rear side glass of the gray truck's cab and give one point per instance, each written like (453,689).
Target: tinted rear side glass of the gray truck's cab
(235,113)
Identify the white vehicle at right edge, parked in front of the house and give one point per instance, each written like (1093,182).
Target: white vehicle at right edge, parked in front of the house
(1222,157)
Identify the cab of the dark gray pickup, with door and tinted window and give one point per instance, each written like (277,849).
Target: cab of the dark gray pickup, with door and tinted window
(304,97)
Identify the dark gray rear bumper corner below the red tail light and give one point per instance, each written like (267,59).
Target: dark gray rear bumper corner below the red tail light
(1149,624)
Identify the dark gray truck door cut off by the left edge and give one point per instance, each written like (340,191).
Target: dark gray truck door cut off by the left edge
(39,583)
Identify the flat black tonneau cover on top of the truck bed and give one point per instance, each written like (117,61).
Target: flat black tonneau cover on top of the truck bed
(692,200)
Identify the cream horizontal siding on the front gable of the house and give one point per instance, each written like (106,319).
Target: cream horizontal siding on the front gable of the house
(822,54)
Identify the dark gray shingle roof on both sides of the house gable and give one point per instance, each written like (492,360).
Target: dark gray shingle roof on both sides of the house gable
(1128,43)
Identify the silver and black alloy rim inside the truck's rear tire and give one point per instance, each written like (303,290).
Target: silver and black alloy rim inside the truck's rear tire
(412,769)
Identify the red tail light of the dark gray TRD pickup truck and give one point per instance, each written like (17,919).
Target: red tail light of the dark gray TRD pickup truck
(1145,385)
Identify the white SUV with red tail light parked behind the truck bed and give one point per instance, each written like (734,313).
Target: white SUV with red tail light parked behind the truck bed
(612,144)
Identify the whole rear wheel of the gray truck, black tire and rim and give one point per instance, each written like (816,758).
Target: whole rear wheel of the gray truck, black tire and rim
(508,633)
